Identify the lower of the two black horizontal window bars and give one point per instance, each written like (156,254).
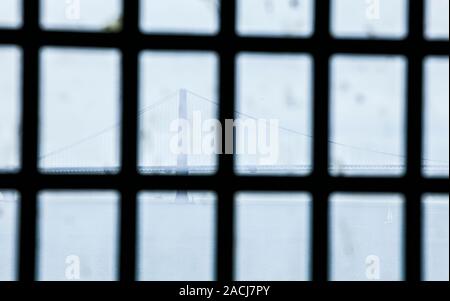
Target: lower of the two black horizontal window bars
(140,182)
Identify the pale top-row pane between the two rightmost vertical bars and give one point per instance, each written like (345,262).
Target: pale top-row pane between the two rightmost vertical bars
(369,19)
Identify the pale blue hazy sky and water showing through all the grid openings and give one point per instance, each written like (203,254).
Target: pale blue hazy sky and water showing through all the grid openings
(79,133)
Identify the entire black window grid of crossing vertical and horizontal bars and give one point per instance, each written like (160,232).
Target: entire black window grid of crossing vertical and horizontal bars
(227,44)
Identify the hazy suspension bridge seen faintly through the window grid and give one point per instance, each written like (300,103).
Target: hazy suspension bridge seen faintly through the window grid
(183,165)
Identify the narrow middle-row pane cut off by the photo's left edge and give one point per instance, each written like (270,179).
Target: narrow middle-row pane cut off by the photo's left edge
(10,98)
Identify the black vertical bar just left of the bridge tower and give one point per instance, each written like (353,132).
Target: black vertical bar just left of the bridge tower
(128,205)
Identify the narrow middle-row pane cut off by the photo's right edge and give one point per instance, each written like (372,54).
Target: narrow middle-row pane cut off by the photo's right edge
(436,144)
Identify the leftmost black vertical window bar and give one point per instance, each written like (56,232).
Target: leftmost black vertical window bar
(30,122)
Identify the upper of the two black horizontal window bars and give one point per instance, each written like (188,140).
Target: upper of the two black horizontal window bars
(217,43)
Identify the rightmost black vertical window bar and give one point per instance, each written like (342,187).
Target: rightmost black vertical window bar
(413,254)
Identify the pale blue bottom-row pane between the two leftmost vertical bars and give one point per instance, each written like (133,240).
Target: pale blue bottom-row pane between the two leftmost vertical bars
(77,236)
